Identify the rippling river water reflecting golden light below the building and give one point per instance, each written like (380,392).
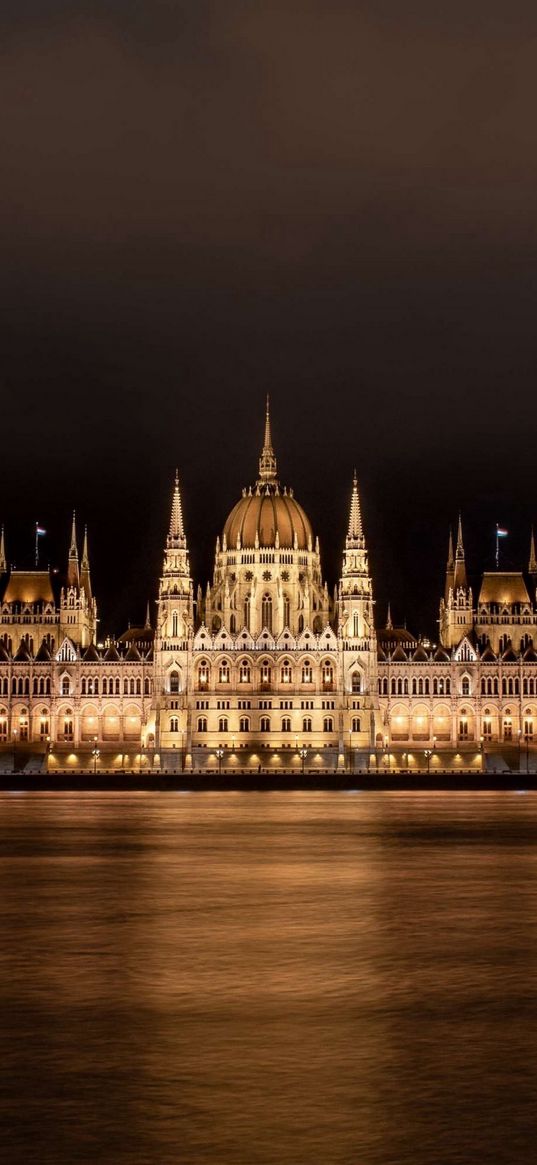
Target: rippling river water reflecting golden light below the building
(267,978)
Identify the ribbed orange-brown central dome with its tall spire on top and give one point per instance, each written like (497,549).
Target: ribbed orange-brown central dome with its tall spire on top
(267,516)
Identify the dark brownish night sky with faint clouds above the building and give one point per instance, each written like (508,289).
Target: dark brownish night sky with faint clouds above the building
(204,202)
